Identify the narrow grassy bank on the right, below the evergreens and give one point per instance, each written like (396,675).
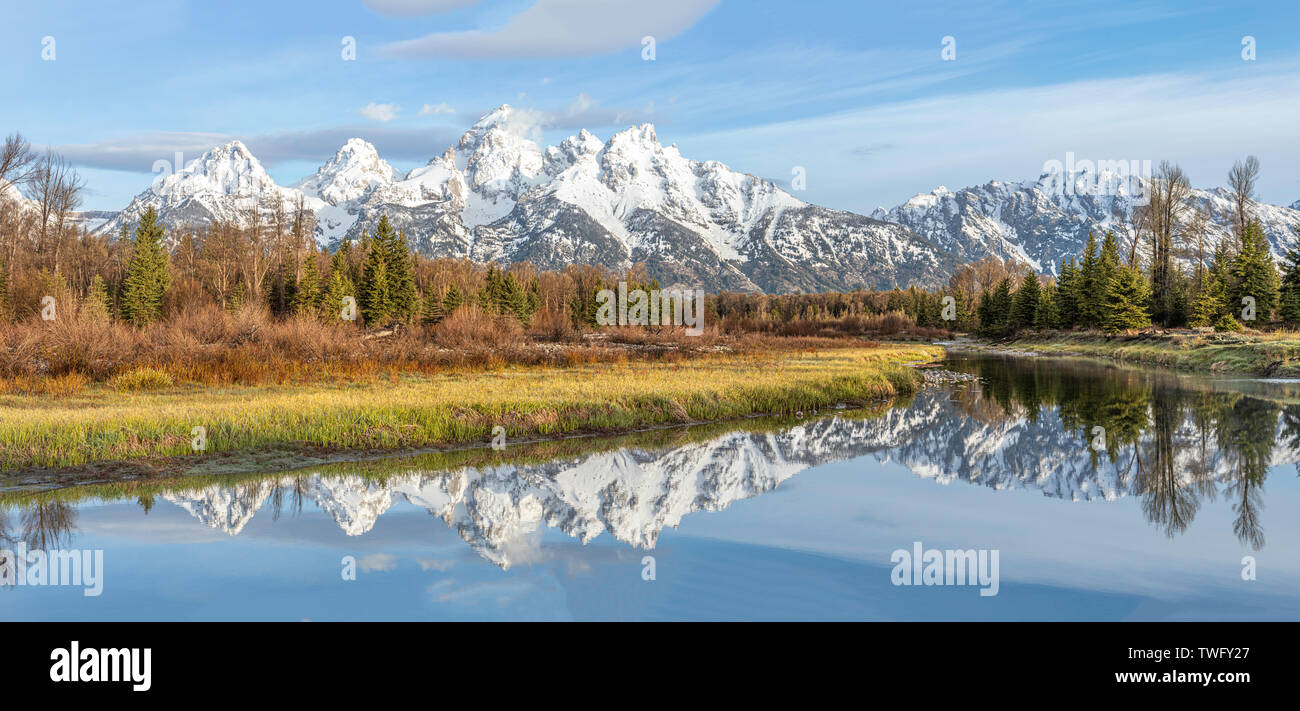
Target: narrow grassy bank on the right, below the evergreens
(1273,355)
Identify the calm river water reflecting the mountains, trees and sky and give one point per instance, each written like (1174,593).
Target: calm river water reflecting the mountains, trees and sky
(1149,518)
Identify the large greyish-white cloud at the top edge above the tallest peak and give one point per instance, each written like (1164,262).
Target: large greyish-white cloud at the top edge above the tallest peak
(565,29)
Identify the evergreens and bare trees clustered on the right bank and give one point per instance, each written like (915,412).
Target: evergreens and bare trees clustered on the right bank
(1164,276)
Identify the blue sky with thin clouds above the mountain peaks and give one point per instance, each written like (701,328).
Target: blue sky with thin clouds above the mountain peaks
(859,94)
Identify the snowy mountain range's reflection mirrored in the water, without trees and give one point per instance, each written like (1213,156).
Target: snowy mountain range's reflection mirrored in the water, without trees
(635,493)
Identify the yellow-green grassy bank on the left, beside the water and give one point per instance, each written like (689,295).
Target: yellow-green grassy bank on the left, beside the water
(155,430)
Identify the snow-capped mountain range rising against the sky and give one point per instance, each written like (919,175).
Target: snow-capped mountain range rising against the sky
(500,196)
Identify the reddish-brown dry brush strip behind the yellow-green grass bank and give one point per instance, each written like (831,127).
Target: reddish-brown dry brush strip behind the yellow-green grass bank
(202,345)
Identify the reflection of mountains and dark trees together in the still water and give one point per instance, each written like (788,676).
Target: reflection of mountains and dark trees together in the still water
(1085,433)
